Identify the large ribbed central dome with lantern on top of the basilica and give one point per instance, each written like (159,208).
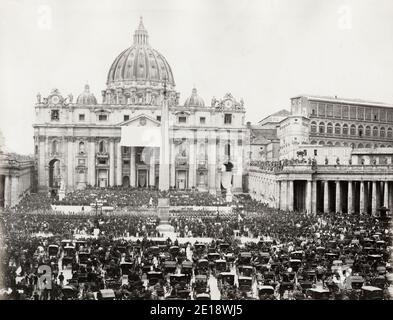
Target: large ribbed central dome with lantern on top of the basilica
(139,63)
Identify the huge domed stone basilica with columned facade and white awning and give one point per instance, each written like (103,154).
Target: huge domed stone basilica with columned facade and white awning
(115,142)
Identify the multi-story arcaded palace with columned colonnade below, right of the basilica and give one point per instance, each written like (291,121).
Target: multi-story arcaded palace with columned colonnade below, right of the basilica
(335,155)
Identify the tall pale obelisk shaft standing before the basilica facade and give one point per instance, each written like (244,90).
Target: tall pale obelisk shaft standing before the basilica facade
(164,149)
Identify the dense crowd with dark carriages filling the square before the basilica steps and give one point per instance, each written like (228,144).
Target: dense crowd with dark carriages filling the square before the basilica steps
(251,251)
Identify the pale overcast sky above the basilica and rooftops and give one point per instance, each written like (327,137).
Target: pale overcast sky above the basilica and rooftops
(262,51)
